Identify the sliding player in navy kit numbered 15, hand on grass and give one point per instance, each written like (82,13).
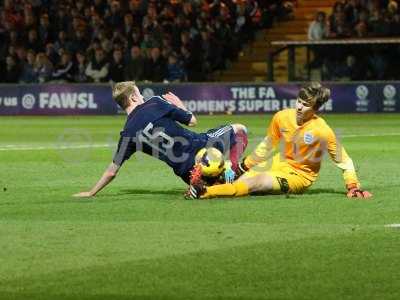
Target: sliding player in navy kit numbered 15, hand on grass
(152,127)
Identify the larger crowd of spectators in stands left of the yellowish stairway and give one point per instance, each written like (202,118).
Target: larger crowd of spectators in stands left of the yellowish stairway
(110,40)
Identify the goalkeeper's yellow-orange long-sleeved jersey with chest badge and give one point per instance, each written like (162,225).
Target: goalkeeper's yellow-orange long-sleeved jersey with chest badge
(303,147)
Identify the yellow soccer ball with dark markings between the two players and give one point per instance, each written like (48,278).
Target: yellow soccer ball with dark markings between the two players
(211,162)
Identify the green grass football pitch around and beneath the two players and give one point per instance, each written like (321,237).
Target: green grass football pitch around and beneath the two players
(140,239)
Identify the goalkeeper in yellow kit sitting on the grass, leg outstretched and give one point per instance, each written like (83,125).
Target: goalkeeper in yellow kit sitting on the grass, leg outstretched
(302,138)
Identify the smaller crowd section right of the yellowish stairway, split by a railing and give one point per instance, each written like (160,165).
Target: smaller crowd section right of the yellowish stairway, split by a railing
(357,19)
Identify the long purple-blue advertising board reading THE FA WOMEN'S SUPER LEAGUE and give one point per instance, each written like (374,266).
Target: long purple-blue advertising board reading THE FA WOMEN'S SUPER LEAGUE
(202,98)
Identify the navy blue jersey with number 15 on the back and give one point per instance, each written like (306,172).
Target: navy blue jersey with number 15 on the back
(153,128)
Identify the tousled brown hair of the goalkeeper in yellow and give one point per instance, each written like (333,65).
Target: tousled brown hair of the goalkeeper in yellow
(315,94)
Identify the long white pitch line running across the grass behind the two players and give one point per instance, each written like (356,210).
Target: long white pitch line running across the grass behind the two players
(88,146)
